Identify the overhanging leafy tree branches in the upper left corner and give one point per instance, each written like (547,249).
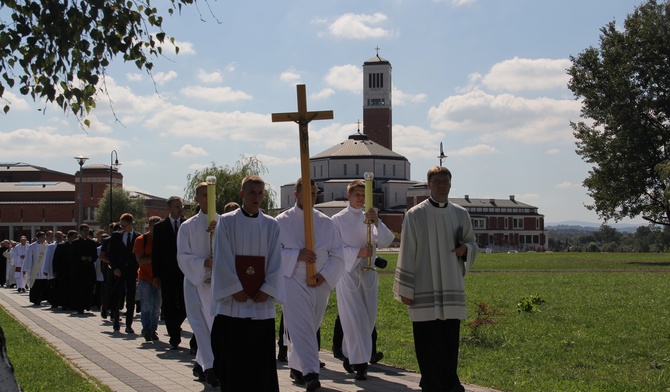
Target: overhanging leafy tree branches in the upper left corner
(58,50)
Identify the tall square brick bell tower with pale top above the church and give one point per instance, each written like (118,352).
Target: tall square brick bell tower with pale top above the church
(377,123)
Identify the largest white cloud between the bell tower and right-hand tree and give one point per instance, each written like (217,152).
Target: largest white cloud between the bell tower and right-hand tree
(506,116)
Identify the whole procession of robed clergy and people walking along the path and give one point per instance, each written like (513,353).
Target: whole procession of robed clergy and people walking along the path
(227,274)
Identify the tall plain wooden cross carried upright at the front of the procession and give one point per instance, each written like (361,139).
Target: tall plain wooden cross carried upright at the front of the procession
(302,117)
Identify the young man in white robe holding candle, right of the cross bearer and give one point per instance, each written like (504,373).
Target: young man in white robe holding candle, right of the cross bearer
(357,288)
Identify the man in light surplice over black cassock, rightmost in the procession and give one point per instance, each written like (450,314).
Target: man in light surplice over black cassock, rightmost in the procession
(437,248)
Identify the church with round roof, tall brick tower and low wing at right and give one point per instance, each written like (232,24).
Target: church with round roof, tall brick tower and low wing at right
(498,223)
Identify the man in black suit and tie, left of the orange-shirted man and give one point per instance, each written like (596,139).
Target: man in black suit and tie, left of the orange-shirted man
(122,274)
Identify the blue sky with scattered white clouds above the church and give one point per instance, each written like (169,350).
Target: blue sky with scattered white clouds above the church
(485,78)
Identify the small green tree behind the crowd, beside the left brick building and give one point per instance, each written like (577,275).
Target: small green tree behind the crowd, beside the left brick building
(122,202)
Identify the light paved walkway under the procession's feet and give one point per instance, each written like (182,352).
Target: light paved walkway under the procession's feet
(126,363)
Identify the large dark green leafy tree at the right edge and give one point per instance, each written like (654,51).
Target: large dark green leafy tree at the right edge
(625,91)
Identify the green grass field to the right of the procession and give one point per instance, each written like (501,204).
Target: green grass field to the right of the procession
(603,325)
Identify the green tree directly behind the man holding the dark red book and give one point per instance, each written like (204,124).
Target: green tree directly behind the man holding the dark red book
(228,181)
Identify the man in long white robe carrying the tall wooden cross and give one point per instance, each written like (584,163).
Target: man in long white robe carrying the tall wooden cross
(305,305)
